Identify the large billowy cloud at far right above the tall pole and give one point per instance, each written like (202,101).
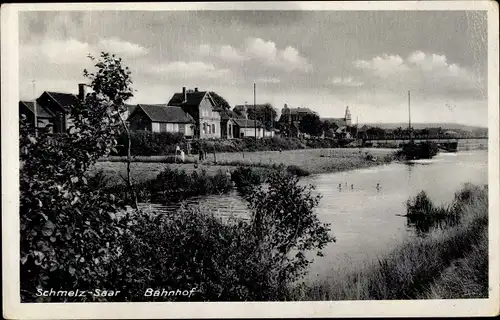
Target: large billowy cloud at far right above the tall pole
(429,73)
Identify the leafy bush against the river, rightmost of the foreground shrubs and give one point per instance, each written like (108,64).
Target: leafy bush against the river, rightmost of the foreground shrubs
(286,226)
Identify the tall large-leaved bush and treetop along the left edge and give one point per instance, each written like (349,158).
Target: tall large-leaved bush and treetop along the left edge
(64,224)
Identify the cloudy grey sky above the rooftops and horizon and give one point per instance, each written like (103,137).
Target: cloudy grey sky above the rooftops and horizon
(322,60)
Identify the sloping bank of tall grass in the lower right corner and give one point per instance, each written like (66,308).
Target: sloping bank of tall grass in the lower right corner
(450,262)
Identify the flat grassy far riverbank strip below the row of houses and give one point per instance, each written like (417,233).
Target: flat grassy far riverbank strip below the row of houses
(310,160)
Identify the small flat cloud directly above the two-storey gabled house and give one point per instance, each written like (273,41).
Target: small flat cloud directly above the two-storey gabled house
(189,70)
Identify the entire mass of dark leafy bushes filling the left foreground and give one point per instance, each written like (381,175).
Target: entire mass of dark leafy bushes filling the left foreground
(75,233)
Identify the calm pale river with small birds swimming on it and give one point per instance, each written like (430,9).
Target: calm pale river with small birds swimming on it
(365,219)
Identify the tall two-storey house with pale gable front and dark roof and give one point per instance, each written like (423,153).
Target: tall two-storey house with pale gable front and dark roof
(202,108)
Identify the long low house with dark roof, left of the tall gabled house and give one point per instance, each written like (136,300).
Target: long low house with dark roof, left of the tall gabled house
(161,118)
